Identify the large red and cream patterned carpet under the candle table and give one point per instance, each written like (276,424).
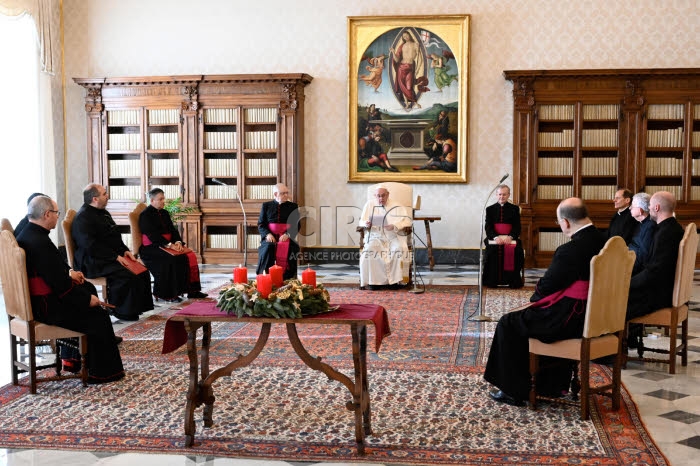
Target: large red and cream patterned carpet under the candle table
(429,403)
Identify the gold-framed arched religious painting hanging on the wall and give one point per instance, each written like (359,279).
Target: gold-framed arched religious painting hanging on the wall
(408,98)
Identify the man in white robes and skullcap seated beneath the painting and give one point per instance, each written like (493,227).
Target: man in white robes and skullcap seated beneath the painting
(384,259)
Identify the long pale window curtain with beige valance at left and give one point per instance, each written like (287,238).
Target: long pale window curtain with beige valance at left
(46,16)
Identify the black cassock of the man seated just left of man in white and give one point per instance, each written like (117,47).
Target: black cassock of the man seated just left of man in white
(274,212)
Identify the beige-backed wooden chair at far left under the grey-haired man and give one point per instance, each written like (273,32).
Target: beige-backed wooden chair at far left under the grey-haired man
(23,328)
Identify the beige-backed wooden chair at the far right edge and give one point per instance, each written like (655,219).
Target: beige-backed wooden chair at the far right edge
(670,317)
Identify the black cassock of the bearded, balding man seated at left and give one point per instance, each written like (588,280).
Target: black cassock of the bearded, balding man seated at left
(98,243)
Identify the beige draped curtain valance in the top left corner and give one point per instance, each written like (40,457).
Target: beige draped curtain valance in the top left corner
(43,12)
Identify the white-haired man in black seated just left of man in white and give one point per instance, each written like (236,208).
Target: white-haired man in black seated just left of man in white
(278,225)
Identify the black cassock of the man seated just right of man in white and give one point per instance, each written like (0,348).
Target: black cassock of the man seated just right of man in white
(493,273)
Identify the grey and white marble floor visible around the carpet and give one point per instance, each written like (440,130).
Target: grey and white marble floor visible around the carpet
(669,404)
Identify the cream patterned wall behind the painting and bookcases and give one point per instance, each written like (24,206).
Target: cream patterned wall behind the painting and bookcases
(161,37)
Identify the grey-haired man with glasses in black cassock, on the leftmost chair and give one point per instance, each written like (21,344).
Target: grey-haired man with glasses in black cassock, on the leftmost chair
(61,296)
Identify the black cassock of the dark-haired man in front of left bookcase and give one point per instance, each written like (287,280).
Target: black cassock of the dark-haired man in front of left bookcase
(171,274)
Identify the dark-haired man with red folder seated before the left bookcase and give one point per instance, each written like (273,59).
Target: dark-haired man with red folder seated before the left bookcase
(174,267)
